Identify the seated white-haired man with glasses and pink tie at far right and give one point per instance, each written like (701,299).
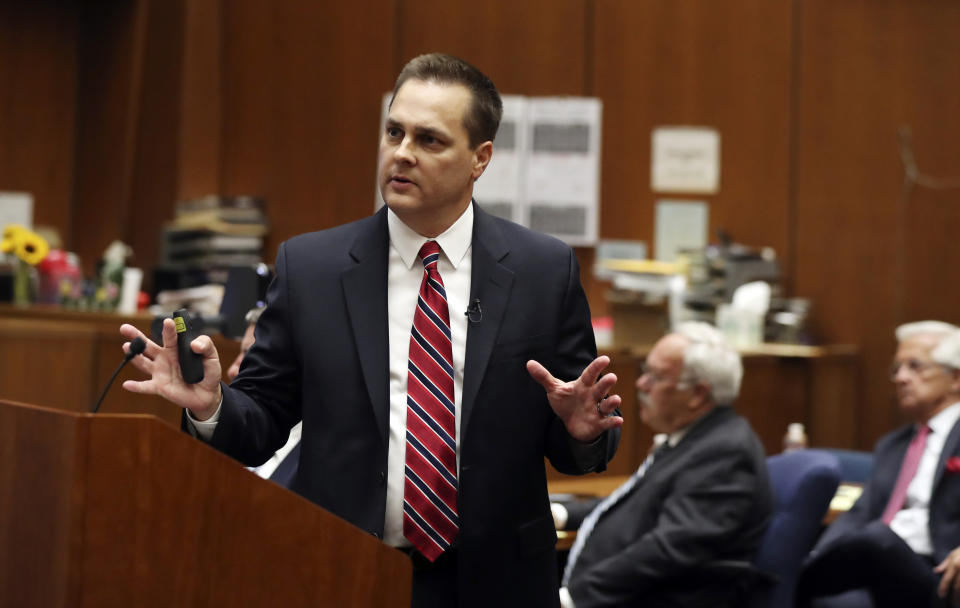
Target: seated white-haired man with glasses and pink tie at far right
(899,545)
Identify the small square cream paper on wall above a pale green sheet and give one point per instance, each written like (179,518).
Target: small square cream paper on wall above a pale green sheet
(685,159)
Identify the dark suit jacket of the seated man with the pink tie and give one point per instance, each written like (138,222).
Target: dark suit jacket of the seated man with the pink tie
(944,501)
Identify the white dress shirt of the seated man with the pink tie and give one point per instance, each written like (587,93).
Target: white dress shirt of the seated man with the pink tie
(912,522)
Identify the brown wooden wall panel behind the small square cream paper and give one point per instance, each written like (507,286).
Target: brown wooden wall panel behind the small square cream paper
(724,66)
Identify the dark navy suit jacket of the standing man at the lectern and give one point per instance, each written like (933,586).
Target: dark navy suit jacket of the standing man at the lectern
(321,353)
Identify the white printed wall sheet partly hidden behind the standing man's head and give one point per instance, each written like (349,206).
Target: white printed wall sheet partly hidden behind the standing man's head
(500,189)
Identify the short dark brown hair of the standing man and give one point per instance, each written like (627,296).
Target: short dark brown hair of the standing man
(483,119)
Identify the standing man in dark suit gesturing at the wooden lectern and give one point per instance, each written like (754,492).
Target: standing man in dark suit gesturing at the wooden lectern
(431,439)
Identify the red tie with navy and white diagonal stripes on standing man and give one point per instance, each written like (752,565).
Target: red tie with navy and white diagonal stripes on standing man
(430,520)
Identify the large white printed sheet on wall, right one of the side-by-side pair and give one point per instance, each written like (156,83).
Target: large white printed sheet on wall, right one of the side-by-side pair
(562,183)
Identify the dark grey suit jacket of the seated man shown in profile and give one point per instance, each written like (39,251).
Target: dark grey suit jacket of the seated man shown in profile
(708,498)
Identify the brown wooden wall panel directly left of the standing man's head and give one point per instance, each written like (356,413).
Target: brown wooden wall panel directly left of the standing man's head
(302,88)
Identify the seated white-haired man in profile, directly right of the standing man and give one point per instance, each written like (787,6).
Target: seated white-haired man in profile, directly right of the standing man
(704,495)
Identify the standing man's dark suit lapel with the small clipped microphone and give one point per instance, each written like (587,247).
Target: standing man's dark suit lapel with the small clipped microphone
(490,283)
